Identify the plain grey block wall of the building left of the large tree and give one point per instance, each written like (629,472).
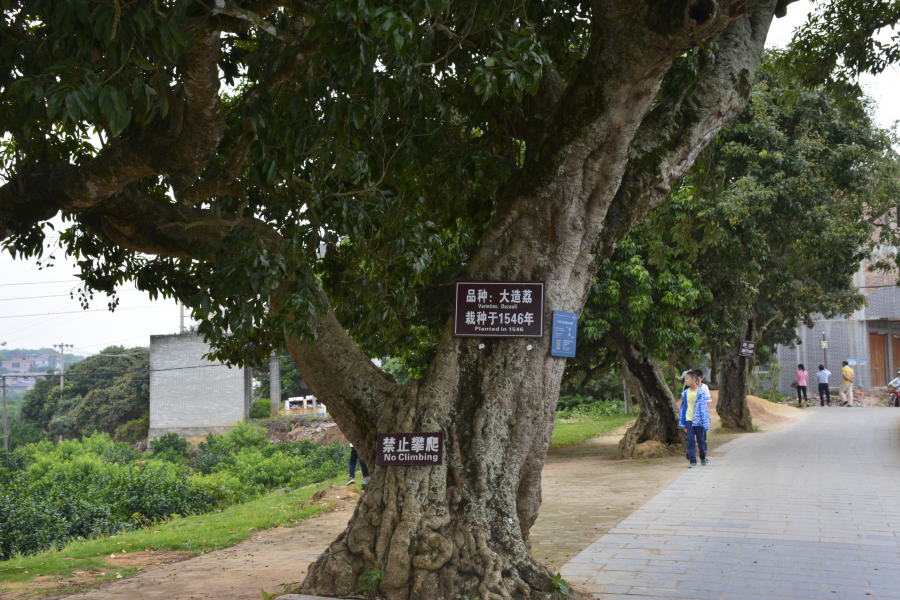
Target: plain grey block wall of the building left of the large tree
(193,396)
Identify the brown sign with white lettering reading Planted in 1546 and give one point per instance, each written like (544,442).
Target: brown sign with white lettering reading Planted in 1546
(498,309)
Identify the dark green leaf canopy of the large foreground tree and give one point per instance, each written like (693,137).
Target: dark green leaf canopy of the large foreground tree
(387,144)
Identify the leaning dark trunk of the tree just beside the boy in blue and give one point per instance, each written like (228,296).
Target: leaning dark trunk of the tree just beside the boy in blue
(659,412)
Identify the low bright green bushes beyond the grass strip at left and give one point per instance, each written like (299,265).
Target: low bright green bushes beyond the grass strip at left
(94,486)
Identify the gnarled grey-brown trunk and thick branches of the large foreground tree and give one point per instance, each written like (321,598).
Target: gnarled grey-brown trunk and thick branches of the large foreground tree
(601,162)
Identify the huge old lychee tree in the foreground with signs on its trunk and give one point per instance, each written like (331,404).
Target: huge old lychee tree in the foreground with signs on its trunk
(311,176)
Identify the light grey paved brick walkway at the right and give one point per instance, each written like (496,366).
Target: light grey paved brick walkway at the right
(809,512)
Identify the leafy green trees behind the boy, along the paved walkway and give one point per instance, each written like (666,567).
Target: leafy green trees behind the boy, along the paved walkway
(764,233)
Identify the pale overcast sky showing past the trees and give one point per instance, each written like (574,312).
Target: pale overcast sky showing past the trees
(36,311)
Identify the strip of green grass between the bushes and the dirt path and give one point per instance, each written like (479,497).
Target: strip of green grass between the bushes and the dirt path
(196,534)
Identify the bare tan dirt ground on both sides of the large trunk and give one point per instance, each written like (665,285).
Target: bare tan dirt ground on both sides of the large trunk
(586,492)
